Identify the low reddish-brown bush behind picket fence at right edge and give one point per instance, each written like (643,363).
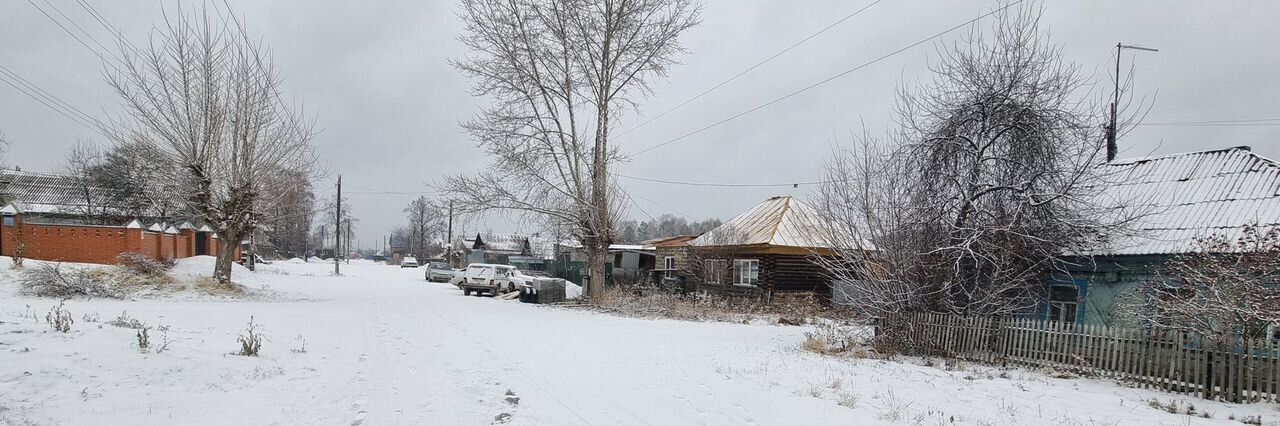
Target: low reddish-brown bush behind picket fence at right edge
(1224,290)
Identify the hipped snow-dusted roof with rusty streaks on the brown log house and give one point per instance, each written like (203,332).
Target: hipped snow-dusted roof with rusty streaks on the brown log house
(776,222)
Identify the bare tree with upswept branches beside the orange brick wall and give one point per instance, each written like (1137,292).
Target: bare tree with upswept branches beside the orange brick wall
(208,98)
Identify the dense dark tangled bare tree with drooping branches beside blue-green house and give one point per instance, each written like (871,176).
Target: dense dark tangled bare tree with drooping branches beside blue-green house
(990,180)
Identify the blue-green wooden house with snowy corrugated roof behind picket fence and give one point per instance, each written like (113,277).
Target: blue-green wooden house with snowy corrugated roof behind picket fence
(1186,196)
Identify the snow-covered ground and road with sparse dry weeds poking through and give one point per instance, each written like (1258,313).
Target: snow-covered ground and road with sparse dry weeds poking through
(381,346)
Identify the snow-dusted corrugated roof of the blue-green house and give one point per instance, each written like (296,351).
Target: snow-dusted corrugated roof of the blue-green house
(1192,195)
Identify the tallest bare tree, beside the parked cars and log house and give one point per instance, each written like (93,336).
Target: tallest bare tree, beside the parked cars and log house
(559,72)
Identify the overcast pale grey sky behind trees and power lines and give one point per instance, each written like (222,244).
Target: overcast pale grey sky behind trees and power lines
(377,79)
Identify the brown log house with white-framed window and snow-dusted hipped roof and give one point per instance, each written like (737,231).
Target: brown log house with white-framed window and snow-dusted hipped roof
(766,251)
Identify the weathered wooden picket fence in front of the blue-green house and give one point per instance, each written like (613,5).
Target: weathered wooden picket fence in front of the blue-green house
(1176,363)
